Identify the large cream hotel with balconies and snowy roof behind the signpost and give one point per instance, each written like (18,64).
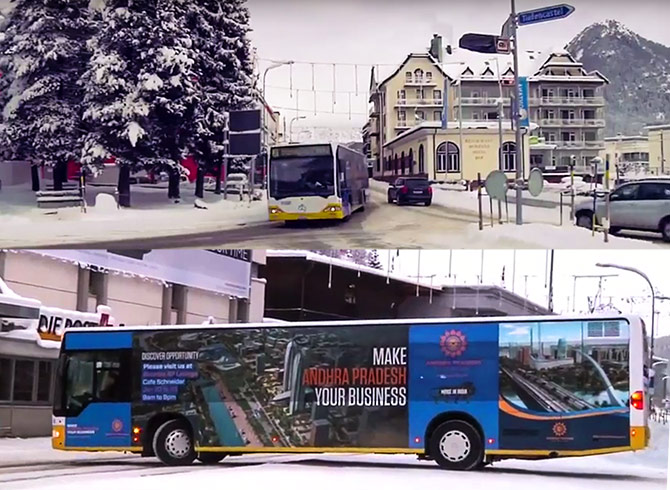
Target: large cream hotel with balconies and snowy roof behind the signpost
(566,106)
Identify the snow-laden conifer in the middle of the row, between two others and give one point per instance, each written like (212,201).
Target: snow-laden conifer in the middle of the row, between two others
(140,90)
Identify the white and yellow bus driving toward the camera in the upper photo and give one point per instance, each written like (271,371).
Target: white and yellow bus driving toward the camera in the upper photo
(316,182)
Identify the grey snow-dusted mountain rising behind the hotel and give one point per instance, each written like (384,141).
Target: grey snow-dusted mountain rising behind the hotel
(639,72)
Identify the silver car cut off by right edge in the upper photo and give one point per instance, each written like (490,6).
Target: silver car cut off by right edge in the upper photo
(642,205)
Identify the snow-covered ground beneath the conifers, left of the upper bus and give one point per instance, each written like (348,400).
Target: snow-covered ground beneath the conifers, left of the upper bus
(22,223)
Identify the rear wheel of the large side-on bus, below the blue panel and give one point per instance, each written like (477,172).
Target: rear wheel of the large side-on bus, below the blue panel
(457,445)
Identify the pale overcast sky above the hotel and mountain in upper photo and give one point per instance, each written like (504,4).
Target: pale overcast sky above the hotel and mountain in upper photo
(384,31)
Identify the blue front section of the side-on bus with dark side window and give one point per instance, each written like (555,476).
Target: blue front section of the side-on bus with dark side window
(92,406)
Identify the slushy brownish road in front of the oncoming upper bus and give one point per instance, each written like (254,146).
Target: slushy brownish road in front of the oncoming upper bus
(380,225)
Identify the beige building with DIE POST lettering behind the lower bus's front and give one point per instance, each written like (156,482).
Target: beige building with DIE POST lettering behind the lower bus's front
(143,288)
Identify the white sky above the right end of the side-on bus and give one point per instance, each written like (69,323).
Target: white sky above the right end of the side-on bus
(466,268)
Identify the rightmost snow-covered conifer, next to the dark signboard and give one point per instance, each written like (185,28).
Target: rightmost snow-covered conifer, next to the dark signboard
(225,73)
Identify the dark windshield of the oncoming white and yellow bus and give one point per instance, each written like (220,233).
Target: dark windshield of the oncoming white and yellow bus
(302,176)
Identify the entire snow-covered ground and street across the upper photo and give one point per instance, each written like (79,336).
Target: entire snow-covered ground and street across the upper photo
(450,222)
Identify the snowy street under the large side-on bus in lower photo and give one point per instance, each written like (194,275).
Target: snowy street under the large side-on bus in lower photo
(30,463)
